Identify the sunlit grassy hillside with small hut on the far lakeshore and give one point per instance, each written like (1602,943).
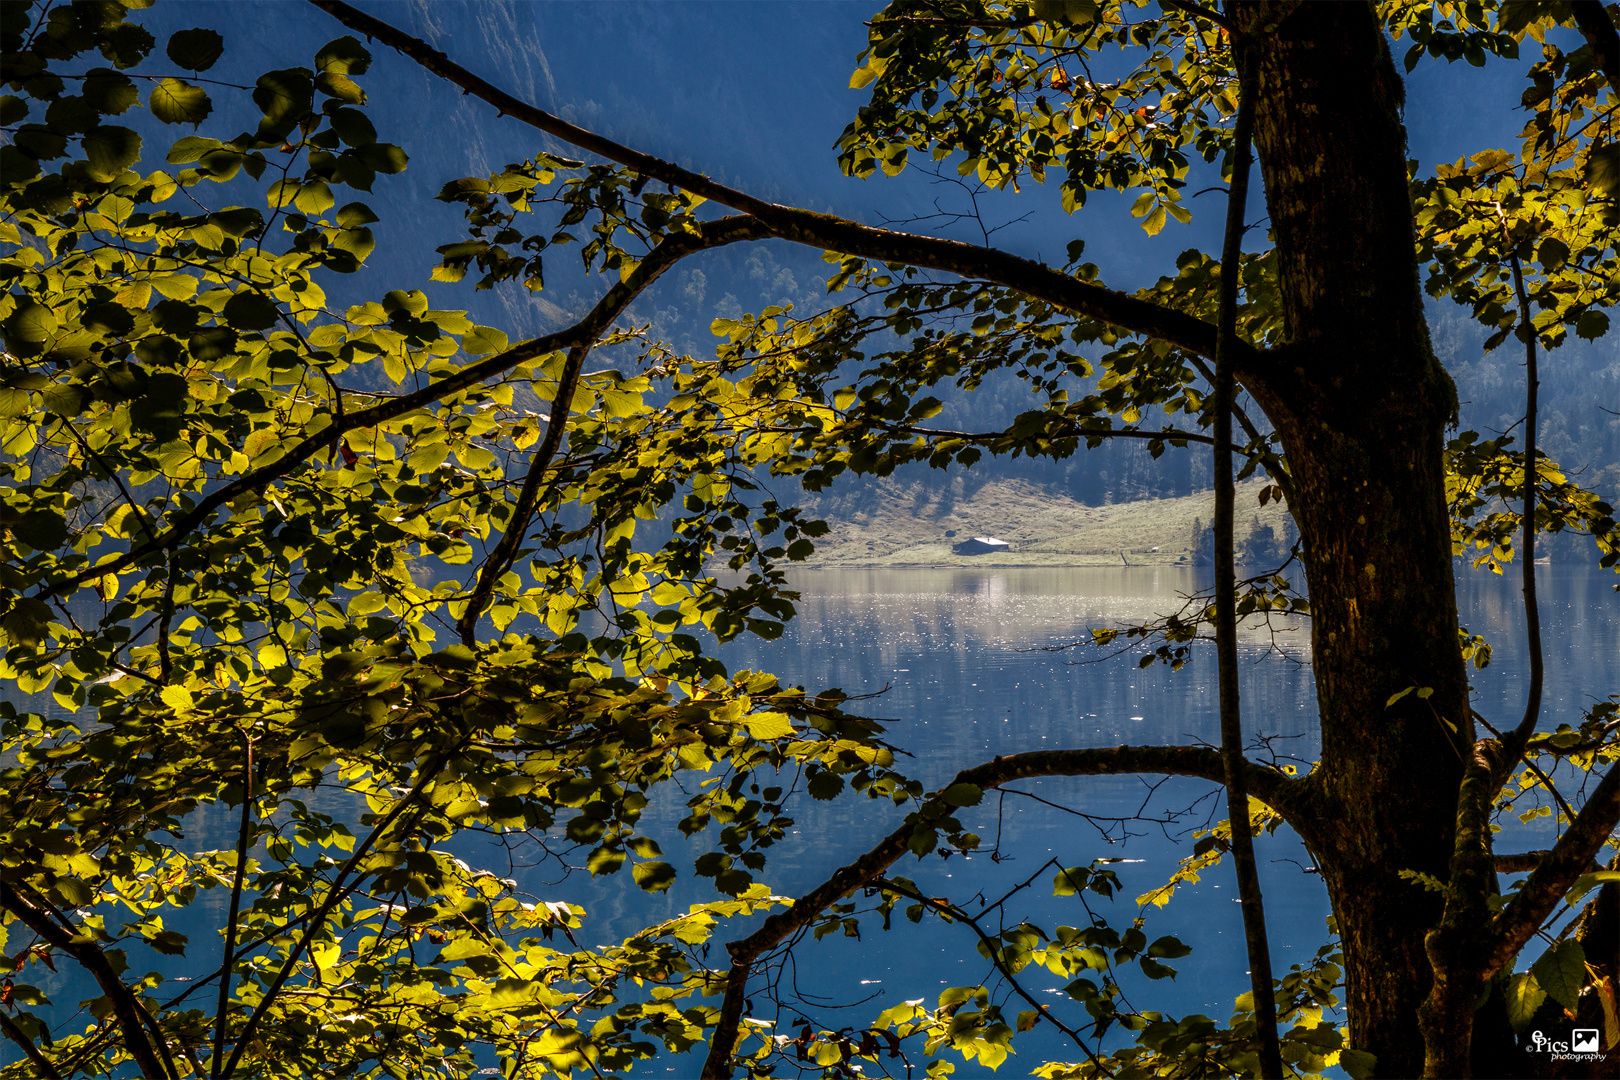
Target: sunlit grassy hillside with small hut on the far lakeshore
(906,525)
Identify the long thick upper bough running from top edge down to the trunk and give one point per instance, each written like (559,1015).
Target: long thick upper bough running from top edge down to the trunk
(825,231)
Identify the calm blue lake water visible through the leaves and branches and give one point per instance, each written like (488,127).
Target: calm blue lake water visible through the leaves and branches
(960,663)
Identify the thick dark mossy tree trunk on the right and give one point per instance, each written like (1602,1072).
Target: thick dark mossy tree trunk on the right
(1362,407)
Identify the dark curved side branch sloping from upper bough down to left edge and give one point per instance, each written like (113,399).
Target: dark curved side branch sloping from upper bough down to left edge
(589,330)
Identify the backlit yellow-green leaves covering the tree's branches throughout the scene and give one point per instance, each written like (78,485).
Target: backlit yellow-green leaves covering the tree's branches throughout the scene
(378,580)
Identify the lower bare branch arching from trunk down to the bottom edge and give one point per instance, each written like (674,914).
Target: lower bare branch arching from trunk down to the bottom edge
(1276,789)
